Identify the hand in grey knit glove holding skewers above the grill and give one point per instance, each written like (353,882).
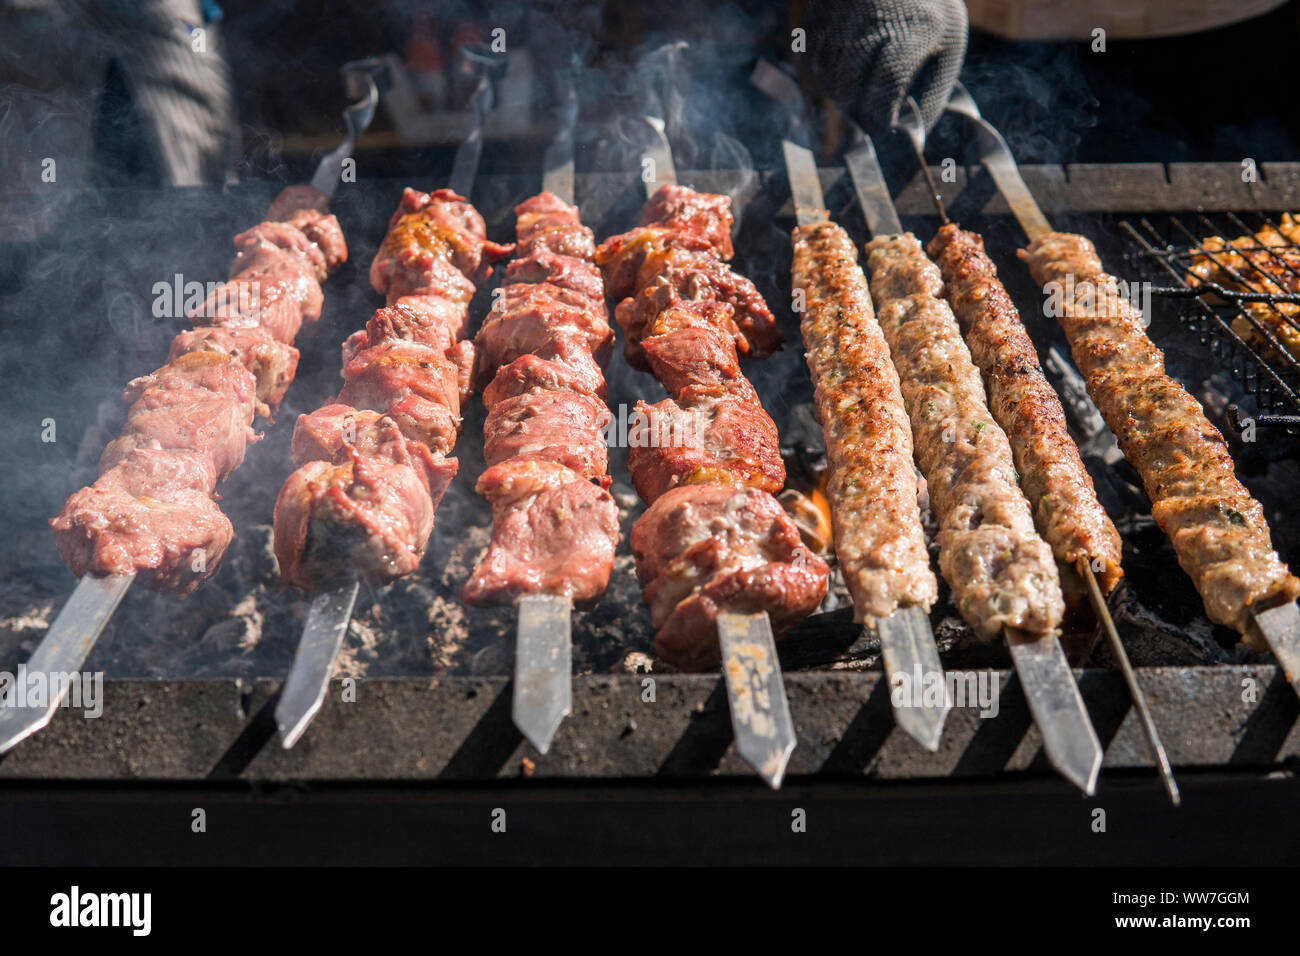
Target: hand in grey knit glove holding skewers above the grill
(870,55)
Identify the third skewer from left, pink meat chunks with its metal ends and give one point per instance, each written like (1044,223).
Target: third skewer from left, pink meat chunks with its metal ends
(556,526)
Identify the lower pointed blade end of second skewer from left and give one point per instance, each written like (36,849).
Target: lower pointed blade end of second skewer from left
(314,663)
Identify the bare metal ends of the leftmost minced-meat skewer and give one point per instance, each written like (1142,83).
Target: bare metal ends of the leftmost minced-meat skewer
(907,642)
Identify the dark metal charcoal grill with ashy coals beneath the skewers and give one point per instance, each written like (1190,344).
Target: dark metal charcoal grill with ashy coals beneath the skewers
(421,716)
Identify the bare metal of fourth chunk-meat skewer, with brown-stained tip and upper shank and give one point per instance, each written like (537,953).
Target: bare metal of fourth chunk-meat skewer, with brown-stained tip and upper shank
(756,690)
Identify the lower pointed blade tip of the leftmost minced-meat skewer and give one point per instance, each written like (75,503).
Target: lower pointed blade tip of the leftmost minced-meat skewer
(911,656)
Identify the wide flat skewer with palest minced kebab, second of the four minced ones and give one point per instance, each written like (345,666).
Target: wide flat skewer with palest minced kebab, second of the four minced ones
(1003,576)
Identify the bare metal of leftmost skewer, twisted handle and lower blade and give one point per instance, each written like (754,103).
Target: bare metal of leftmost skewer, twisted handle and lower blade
(81,622)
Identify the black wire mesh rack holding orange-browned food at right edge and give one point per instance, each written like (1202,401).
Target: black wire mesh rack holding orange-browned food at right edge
(1240,280)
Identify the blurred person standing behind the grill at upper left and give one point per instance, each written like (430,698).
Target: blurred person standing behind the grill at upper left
(105,93)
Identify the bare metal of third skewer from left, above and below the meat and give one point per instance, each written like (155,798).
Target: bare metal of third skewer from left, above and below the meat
(544,644)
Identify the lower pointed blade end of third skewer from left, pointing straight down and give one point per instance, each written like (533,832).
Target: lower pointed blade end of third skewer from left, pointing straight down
(544,668)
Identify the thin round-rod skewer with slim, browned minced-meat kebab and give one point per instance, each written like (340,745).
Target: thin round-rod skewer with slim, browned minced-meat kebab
(1065,503)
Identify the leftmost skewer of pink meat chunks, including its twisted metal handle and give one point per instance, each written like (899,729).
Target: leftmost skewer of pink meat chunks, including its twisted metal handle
(150,514)
